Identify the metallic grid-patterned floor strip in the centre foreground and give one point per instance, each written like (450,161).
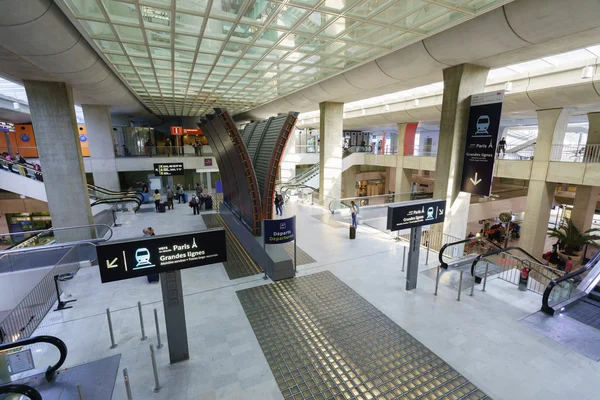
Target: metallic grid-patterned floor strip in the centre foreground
(324,341)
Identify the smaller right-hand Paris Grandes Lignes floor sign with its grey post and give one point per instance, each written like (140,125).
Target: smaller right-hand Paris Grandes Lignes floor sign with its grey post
(414,215)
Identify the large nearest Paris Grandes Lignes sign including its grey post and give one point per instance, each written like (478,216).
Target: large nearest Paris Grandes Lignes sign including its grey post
(166,255)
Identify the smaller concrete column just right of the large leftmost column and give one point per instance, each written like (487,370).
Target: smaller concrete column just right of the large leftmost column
(102,150)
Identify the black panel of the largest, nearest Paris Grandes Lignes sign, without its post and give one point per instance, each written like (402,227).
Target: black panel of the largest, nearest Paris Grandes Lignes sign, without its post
(154,254)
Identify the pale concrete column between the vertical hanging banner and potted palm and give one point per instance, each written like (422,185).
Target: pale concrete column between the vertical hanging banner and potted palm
(552,125)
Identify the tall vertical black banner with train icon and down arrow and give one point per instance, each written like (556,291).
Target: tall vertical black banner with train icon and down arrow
(482,138)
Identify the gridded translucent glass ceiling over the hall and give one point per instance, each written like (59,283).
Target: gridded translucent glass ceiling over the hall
(183,57)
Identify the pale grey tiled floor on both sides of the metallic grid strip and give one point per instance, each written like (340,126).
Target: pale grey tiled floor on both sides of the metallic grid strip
(480,336)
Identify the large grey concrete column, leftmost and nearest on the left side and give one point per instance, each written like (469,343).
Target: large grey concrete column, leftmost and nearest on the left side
(55,125)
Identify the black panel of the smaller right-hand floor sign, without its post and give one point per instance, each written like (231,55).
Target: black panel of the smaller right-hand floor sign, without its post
(411,214)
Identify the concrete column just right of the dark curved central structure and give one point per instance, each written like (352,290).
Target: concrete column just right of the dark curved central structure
(331,131)
